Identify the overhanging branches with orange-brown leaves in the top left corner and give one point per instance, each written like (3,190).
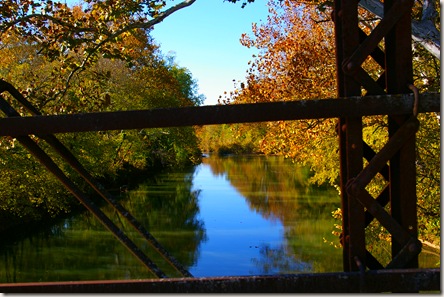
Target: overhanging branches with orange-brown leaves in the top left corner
(93,30)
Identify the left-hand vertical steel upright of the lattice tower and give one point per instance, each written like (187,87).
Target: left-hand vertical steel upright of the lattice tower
(350,135)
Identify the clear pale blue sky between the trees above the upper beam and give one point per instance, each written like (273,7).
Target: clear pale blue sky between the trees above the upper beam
(204,38)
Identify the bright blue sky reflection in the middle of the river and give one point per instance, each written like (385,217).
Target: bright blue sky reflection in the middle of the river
(239,241)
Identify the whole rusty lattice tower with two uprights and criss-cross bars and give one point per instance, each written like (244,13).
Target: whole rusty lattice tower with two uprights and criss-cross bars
(389,44)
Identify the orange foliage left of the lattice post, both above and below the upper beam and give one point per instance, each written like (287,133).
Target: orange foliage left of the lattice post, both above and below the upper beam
(296,61)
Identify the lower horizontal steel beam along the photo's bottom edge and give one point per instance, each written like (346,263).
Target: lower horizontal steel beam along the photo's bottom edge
(406,280)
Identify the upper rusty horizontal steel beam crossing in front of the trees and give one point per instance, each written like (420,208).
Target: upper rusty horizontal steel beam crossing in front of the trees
(218,114)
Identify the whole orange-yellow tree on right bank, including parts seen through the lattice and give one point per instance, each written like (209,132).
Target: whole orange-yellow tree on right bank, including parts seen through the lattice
(296,61)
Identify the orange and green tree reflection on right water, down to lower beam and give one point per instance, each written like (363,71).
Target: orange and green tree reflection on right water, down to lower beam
(277,189)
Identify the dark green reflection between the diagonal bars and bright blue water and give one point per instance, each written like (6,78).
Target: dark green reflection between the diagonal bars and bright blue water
(169,209)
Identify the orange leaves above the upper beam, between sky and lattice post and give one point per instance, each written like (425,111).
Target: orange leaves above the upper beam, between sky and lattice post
(296,50)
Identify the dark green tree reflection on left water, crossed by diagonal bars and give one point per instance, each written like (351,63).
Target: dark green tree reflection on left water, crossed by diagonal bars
(79,248)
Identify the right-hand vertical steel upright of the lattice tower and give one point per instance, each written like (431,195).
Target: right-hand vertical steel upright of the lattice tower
(399,74)
